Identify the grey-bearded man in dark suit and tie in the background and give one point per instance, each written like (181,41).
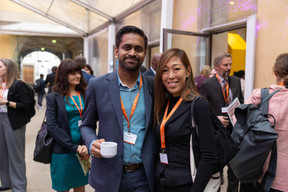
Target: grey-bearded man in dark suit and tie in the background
(220,90)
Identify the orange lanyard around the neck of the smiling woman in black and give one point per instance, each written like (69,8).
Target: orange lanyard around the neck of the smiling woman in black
(165,119)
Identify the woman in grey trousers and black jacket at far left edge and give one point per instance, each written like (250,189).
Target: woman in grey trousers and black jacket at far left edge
(13,102)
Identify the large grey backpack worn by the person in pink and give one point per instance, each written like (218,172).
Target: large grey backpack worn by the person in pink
(255,137)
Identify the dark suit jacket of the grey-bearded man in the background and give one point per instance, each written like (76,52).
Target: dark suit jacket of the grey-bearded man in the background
(212,91)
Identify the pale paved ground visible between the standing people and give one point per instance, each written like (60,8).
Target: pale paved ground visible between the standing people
(38,174)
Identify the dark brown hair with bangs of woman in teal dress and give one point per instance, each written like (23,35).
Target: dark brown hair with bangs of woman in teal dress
(61,84)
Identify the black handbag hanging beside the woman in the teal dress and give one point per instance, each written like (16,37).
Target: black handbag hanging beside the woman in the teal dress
(43,145)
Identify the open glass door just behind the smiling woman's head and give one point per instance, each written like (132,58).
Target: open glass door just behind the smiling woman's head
(196,45)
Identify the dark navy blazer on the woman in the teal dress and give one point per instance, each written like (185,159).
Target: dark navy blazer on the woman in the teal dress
(58,124)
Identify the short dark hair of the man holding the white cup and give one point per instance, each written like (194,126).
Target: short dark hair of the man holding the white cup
(130,29)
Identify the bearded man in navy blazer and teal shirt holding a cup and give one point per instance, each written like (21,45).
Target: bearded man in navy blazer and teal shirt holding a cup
(121,102)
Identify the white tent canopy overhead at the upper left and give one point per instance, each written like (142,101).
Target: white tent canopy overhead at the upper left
(63,17)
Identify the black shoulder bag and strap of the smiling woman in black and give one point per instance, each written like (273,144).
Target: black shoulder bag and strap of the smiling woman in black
(225,145)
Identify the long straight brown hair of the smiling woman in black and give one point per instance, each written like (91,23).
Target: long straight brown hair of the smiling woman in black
(161,93)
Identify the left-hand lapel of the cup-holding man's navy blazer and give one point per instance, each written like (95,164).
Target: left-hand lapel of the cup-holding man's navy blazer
(114,94)
